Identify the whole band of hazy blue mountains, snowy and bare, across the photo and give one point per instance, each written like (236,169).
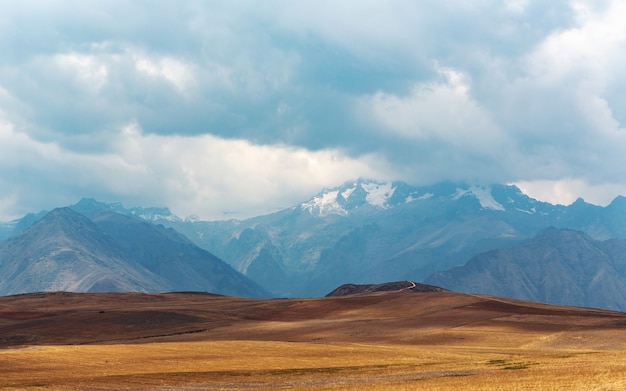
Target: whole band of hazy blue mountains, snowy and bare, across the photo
(477,239)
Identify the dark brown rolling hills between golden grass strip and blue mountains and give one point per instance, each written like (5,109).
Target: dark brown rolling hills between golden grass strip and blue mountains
(402,316)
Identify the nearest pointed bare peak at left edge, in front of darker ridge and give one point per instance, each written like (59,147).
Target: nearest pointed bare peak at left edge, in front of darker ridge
(66,251)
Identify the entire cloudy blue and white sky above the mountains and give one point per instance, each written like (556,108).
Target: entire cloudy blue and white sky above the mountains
(227,109)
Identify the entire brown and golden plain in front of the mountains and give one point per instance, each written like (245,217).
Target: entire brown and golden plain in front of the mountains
(383,341)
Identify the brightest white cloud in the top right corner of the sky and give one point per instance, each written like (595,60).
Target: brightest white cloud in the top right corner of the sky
(585,60)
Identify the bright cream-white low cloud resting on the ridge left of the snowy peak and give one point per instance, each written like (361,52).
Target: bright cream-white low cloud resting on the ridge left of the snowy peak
(209,176)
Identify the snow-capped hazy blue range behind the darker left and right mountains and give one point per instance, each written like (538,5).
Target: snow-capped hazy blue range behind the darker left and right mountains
(365,232)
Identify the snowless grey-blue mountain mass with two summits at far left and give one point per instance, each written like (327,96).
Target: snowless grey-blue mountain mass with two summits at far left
(67,251)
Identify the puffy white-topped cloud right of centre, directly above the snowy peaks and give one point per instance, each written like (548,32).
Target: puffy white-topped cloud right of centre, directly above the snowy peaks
(444,131)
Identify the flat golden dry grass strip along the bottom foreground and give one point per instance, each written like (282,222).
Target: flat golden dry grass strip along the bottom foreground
(283,365)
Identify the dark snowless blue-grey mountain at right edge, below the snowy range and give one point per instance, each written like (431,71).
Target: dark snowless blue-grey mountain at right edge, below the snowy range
(556,266)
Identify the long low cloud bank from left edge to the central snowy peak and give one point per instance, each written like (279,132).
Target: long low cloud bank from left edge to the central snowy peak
(204,175)
